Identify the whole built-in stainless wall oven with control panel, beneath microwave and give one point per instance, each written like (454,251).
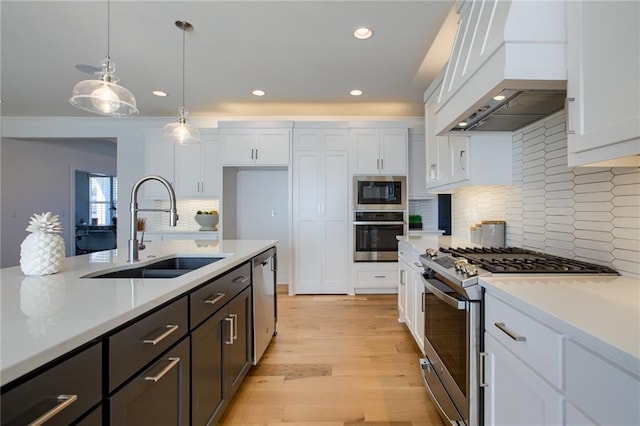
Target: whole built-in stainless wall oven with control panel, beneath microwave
(375,234)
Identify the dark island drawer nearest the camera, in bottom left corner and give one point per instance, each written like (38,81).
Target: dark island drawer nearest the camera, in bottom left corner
(75,383)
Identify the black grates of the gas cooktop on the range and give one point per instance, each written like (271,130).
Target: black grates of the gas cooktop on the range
(515,260)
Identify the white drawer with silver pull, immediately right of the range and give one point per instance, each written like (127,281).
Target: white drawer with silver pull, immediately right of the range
(535,344)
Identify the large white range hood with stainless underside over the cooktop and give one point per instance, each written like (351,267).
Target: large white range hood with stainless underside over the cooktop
(507,67)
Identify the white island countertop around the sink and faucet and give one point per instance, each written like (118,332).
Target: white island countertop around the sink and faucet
(44,317)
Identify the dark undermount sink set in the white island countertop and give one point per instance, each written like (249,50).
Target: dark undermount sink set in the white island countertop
(167,268)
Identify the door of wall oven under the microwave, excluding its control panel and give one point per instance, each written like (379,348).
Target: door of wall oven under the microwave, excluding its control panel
(376,241)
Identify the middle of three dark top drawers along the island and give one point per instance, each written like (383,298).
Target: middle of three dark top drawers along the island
(136,345)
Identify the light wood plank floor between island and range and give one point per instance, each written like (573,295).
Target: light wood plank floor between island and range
(337,360)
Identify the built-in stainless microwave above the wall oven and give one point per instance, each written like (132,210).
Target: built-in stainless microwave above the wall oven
(379,192)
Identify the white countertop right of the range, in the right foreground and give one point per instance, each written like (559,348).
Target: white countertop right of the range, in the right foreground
(600,312)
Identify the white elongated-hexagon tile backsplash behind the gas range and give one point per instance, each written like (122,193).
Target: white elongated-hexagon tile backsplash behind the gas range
(587,213)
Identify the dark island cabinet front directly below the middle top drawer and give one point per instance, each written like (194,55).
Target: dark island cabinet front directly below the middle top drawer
(159,396)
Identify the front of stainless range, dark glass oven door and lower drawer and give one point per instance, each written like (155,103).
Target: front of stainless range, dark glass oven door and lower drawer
(451,339)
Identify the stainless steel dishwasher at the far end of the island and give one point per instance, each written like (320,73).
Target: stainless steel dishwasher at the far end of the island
(264,301)
